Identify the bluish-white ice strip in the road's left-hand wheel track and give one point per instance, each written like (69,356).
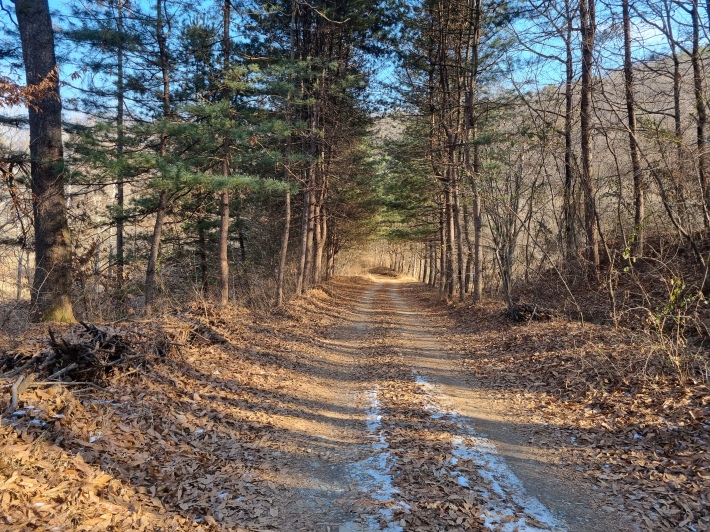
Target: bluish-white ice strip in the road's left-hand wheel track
(373,474)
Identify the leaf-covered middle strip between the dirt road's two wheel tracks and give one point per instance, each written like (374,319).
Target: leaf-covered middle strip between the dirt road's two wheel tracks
(421,445)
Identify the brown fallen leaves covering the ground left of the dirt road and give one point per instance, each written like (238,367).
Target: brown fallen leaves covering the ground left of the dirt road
(186,443)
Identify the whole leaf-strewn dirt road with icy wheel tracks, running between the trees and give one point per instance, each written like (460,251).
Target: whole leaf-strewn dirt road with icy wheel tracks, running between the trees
(416,446)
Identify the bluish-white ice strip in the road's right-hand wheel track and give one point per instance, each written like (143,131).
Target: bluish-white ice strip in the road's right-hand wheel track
(509,507)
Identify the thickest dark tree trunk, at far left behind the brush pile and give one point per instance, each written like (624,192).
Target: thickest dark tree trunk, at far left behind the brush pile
(51,288)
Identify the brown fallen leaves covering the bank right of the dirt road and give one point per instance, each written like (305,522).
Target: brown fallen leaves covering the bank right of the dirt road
(609,402)
